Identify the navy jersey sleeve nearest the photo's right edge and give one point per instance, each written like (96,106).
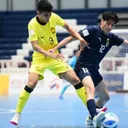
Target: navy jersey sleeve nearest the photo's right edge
(117,40)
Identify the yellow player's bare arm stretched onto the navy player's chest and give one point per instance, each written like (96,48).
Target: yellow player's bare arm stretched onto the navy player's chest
(76,35)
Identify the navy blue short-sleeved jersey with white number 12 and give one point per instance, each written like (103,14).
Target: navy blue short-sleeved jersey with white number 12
(99,44)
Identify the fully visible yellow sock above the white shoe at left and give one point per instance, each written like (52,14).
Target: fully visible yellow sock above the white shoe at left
(23,98)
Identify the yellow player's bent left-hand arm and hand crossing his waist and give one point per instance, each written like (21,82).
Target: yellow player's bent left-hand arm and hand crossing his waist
(37,48)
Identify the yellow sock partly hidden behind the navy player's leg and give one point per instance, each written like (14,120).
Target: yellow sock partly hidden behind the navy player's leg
(81,92)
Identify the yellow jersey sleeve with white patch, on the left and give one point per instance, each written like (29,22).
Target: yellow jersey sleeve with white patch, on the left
(32,33)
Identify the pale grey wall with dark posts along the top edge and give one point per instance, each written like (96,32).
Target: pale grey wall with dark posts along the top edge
(18,5)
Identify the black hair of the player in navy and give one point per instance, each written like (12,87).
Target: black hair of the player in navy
(110,16)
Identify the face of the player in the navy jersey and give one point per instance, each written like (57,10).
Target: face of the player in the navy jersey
(107,26)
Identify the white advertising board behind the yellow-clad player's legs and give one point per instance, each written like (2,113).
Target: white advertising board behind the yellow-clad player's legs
(45,87)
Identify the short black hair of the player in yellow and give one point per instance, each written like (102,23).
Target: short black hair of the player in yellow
(44,6)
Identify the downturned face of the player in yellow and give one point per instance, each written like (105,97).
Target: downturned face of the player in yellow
(44,16)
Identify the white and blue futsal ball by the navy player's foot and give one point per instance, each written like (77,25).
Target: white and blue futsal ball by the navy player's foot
(111,121)
